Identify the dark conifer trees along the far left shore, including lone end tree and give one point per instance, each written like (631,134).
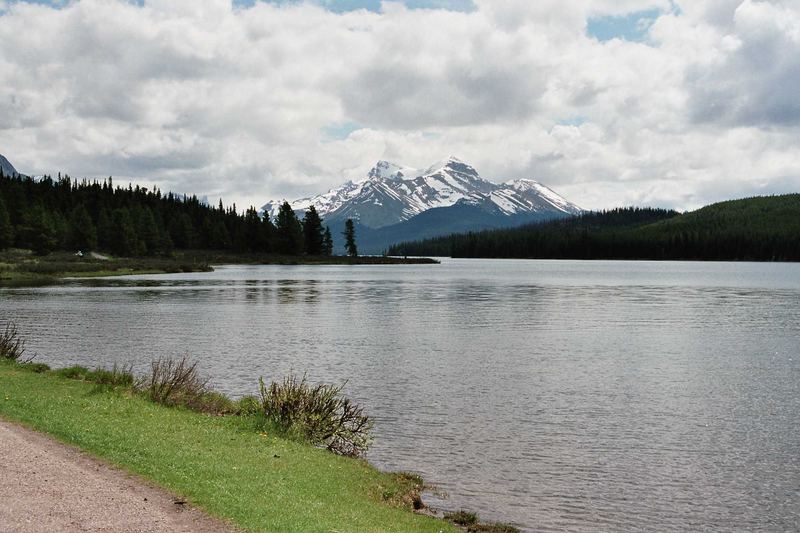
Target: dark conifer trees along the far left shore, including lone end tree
(47,214)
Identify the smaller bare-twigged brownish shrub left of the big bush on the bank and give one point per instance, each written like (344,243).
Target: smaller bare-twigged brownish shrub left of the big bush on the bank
(174,382)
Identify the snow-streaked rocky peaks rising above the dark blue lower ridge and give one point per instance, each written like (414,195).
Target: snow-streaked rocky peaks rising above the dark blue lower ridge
(391,194)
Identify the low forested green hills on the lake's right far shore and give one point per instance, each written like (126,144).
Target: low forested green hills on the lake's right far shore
(752,229)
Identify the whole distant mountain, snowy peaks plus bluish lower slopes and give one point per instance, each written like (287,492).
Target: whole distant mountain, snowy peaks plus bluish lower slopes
(396,203)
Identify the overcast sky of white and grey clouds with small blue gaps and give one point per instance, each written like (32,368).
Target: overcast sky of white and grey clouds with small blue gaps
(609,102)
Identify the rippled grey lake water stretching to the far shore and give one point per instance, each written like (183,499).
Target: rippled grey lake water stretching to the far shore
(557,395)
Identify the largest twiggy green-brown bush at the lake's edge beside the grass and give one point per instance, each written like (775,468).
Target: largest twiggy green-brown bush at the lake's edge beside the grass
(317,414)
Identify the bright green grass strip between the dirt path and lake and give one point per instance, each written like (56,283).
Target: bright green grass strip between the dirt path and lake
(224,465)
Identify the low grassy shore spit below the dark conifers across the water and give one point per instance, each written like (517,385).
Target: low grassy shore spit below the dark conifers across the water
(23,268)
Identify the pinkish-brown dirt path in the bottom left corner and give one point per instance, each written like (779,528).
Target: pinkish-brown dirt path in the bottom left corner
(47,486)
